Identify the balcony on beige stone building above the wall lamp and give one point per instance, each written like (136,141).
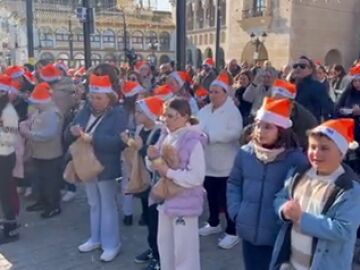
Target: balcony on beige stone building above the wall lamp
(257,16)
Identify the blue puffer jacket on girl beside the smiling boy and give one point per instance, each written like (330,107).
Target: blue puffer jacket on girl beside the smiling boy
(251,190)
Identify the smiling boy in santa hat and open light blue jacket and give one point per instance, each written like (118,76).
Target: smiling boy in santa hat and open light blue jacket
(320,205)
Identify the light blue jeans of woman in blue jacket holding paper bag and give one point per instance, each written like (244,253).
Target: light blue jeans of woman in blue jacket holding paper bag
(104,217)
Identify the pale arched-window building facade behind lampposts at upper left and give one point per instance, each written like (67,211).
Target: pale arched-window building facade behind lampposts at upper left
(58,34)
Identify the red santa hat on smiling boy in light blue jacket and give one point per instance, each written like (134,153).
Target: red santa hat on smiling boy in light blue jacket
(340,131)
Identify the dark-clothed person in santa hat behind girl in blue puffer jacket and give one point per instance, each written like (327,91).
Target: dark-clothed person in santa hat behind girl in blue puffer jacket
(302,119)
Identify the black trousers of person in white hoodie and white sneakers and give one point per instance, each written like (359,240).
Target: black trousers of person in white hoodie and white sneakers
(216,195)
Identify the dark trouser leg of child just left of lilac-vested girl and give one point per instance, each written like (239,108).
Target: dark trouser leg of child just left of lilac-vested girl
(153,220)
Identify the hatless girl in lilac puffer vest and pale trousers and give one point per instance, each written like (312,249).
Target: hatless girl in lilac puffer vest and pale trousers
(178,237)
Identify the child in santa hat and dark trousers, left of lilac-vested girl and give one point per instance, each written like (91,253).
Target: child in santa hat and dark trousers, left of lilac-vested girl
(147,133)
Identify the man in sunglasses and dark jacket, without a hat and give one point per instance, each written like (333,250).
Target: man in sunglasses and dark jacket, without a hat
(311,93)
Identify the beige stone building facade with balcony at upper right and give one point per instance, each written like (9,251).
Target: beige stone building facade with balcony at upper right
(325,30)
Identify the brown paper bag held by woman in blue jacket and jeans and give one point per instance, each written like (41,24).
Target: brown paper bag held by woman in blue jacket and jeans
(85,163)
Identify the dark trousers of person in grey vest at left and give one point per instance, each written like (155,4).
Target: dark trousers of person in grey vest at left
(49,176)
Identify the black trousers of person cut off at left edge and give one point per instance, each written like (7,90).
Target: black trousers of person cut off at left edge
(7,164)
